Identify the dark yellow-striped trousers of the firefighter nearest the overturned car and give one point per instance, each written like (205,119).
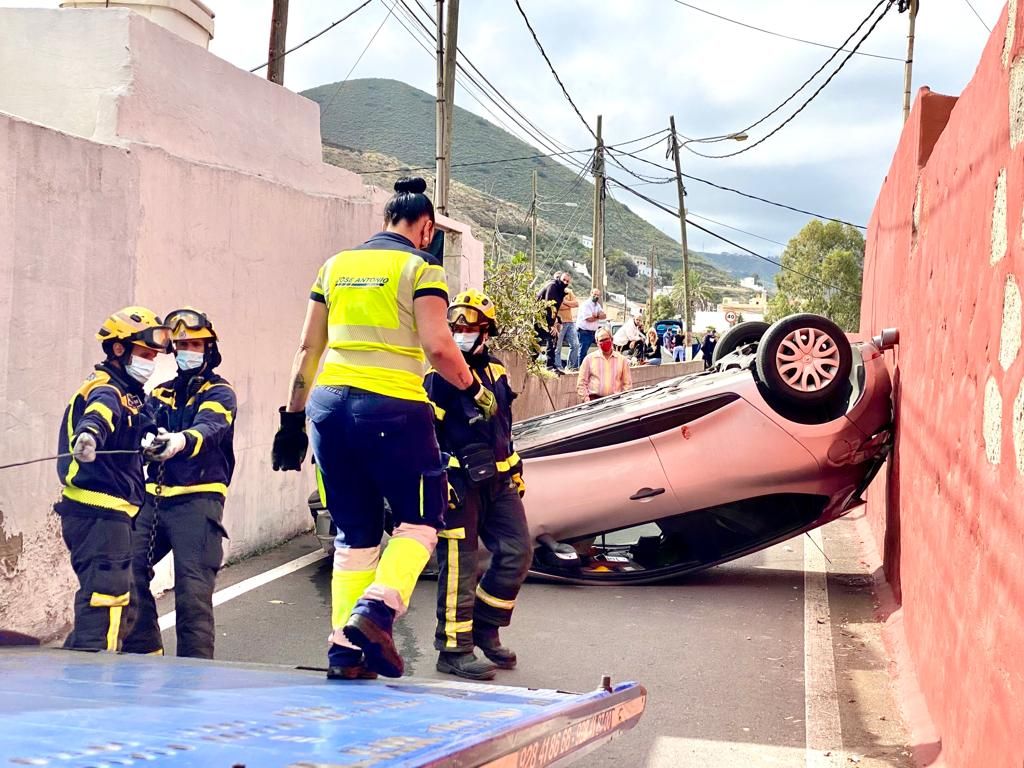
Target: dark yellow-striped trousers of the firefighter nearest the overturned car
(493,513)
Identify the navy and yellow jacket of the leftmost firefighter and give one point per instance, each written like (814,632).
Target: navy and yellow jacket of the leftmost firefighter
(110,407)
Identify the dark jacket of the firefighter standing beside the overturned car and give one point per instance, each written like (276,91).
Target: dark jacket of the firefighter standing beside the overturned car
(458,422)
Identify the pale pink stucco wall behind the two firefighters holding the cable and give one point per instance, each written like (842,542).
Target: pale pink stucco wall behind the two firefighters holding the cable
(210,192)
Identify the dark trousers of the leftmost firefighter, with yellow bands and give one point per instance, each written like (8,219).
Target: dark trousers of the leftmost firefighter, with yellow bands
(101,557)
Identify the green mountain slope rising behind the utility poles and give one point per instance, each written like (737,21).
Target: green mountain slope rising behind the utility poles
(363,120)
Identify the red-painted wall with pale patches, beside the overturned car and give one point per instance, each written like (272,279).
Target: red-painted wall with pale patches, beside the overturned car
(950,516)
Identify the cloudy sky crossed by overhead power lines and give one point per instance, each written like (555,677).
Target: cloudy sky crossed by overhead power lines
(638,62)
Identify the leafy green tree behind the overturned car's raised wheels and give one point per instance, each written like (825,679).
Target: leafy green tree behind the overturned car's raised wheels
(823,269)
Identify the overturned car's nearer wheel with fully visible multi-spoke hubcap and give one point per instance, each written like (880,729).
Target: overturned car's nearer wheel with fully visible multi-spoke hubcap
(805,360)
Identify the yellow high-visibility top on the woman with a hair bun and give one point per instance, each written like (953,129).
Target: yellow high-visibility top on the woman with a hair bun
(373,344)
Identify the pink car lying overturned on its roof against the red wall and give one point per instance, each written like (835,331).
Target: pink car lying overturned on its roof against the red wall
(782,436)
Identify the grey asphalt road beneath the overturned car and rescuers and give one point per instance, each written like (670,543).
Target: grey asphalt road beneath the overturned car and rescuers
(721,654)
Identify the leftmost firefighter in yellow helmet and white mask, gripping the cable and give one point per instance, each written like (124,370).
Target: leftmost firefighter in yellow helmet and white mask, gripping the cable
(103,491)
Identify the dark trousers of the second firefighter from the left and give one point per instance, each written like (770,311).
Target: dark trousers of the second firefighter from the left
(191,529)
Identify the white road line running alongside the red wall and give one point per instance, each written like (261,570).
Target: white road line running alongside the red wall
(824,729)
